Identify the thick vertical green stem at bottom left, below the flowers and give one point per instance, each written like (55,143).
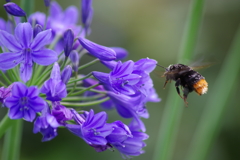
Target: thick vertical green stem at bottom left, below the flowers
(12,141)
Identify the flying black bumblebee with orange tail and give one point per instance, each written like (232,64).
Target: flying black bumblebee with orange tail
(187,78)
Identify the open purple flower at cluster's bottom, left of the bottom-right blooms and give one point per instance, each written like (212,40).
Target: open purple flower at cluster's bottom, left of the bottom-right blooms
(93,129)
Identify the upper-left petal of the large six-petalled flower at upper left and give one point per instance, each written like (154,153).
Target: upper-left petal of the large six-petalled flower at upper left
(9,41)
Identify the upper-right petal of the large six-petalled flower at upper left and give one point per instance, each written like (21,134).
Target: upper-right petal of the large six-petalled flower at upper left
(43,38)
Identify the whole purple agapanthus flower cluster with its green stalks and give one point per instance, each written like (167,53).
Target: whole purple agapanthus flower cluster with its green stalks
(42,81)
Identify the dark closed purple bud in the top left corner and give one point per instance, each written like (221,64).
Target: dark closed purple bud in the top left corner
(14,9)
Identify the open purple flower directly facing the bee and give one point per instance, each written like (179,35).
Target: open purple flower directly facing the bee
(128,78)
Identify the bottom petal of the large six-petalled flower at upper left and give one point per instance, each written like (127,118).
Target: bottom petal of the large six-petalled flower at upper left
(26,71)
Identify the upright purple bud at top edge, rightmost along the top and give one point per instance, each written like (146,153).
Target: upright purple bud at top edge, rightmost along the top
(87,13)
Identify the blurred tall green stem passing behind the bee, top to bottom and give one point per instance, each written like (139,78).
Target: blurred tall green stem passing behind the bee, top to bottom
(174,105)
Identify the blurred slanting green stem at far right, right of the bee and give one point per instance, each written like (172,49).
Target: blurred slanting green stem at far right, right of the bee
(213,114)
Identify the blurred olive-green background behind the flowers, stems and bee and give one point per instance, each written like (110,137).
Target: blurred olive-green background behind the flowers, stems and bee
(154,29)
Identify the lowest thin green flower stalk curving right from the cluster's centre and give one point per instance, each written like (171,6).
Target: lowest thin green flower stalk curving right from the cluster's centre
(85,104)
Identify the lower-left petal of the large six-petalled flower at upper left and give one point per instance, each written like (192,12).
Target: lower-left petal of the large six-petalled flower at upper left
(9,60)
